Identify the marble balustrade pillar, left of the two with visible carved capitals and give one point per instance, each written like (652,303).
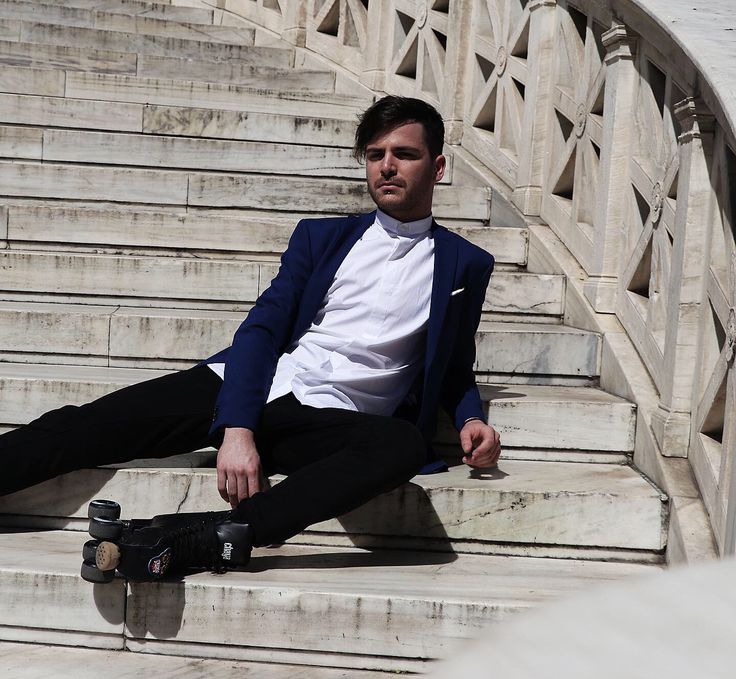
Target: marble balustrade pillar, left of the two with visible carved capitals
(609,217)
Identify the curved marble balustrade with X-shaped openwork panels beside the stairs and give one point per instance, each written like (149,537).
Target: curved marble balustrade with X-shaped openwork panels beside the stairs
(614,122)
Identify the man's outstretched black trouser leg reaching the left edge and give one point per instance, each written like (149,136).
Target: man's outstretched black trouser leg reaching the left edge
(157,418)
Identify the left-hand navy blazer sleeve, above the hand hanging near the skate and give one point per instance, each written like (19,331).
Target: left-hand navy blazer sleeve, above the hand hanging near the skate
(262,338)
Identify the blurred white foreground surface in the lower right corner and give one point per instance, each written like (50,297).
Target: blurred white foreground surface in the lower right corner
(676,624)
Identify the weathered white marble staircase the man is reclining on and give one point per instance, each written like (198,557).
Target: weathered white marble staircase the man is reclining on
(154,158)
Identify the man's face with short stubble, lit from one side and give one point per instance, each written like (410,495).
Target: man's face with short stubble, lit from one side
(401,172)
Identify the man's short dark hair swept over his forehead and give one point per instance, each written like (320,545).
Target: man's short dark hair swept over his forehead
(391,112)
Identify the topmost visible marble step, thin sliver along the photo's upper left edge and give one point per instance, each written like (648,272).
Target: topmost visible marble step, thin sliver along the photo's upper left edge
(156,10)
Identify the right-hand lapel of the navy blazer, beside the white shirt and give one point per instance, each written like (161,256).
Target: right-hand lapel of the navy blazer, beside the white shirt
(445,263)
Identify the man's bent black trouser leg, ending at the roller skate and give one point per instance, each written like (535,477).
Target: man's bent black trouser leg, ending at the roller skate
(336,460)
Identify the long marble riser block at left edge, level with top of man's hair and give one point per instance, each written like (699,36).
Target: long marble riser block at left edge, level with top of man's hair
(63,112)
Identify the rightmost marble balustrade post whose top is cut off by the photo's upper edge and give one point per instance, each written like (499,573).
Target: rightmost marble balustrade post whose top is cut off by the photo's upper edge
(527,194)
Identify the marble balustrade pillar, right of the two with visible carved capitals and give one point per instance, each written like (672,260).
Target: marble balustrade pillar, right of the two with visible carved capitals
(671,420)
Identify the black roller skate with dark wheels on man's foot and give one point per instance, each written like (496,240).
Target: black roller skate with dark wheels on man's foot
(148,549)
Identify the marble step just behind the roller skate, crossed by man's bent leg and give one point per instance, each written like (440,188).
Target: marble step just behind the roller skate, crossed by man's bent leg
(559,507)
